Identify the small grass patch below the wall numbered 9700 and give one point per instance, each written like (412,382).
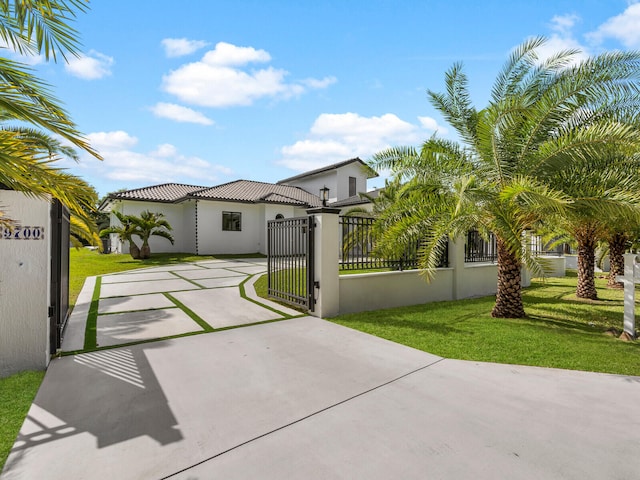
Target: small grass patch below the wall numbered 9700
(16,394)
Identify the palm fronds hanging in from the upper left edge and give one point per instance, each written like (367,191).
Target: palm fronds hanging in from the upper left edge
(25,165)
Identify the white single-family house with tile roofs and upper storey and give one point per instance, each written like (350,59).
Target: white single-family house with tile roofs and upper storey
(232,218)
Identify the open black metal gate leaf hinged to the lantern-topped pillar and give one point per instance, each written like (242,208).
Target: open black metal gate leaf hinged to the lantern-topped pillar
(290,261)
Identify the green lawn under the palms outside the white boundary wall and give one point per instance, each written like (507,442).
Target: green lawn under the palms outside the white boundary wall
(561,331)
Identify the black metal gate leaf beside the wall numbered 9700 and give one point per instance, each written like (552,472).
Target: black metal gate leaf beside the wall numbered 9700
(59,309)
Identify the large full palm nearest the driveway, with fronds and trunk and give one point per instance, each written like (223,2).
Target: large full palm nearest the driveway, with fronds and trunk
(542,116)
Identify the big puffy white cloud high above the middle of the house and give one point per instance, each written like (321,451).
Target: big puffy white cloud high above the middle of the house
(221,79)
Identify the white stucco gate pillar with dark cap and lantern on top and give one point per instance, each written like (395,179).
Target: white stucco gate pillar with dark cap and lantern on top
(327,290)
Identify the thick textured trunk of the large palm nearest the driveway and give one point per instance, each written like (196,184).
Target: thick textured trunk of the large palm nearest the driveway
(509,295)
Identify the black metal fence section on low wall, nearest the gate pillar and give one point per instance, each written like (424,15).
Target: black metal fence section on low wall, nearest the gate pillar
(357,248)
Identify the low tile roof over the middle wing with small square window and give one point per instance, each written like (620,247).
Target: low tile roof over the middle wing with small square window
(249,191)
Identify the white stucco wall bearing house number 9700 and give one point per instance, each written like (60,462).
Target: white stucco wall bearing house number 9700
(24,287)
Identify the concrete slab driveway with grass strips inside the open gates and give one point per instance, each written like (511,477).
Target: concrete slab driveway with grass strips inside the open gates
(158,302)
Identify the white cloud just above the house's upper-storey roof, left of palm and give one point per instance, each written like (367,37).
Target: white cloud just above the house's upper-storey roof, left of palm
(336,137)
